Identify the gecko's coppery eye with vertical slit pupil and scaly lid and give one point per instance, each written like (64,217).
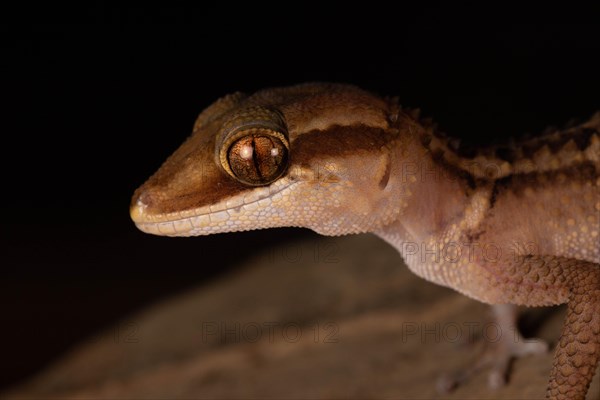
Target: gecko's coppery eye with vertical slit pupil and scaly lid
(252,146)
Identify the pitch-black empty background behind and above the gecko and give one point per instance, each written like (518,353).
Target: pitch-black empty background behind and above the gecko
(96,97)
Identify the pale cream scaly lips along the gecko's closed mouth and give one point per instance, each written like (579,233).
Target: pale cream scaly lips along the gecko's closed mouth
(238,213)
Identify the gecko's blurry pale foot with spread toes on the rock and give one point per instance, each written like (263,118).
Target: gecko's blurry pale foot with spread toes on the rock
(496,355)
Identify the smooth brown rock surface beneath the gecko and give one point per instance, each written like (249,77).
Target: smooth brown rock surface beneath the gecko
(320,318)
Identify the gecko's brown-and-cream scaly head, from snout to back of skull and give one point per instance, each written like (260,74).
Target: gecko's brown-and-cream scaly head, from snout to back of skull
(314,155)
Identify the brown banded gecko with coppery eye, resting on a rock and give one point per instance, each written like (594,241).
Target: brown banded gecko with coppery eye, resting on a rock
(513,224)
